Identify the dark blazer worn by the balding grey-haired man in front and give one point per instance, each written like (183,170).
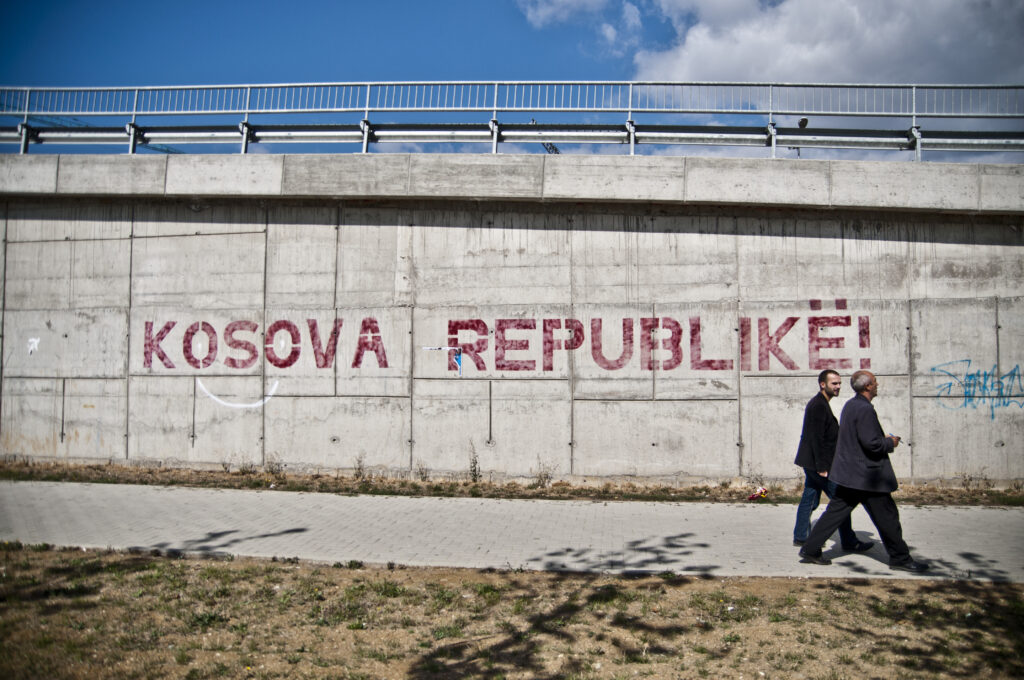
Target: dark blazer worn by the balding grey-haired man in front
(863,453)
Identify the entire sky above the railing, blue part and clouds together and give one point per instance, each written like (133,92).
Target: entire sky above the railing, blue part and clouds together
(191,42)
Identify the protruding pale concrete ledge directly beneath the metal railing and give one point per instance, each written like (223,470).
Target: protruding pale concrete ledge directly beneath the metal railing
(930,187)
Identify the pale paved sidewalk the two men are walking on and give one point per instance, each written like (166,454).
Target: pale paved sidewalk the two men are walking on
(720,540)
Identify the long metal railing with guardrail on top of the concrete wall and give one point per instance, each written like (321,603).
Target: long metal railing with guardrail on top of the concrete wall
(749,114)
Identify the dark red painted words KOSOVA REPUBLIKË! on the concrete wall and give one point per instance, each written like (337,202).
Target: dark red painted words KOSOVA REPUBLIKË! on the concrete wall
(655,344)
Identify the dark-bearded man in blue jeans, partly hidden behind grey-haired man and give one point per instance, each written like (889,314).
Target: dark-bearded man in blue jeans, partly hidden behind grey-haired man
(816,453)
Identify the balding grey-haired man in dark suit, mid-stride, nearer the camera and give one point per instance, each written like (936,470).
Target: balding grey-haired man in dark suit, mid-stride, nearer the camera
(865,476)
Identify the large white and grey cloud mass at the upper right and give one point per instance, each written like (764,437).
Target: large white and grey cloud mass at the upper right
(881,41)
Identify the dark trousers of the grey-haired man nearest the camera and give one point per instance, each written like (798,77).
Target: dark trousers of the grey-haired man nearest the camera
(881,508)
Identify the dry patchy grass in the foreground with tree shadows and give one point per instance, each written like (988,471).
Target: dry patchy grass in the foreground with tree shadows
(74,614)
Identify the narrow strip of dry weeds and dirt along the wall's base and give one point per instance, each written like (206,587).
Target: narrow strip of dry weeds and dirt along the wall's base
(970,492)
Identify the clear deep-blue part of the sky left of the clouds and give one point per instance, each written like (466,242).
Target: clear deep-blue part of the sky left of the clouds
(194,42)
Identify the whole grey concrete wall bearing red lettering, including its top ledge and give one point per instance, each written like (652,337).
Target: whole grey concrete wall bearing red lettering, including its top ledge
(617,317)
